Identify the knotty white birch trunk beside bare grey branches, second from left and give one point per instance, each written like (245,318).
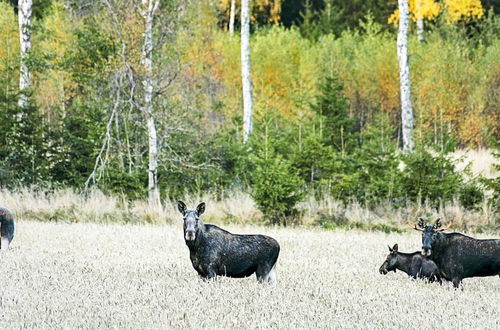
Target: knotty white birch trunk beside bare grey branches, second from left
(148,10)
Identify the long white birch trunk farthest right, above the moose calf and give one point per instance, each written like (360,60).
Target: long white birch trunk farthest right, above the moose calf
(404,77)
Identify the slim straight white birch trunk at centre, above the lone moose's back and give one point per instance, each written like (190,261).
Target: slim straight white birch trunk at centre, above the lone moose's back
(245,69)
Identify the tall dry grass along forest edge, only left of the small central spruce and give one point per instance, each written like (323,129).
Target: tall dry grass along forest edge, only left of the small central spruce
(69,206)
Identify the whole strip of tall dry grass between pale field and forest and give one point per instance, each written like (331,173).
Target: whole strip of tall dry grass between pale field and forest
(237,208)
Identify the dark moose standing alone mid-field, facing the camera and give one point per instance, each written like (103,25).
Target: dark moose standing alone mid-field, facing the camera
(214,251)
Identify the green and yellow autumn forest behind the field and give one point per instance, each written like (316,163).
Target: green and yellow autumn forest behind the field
(326,105)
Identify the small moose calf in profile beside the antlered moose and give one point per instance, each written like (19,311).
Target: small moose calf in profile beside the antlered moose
(413,264)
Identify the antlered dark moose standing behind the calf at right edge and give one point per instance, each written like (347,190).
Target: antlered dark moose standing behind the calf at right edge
(458,256)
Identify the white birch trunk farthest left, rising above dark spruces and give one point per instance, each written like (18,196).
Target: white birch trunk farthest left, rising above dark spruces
(24,18)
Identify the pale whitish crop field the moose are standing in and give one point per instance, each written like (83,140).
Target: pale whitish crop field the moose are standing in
(127,276)
